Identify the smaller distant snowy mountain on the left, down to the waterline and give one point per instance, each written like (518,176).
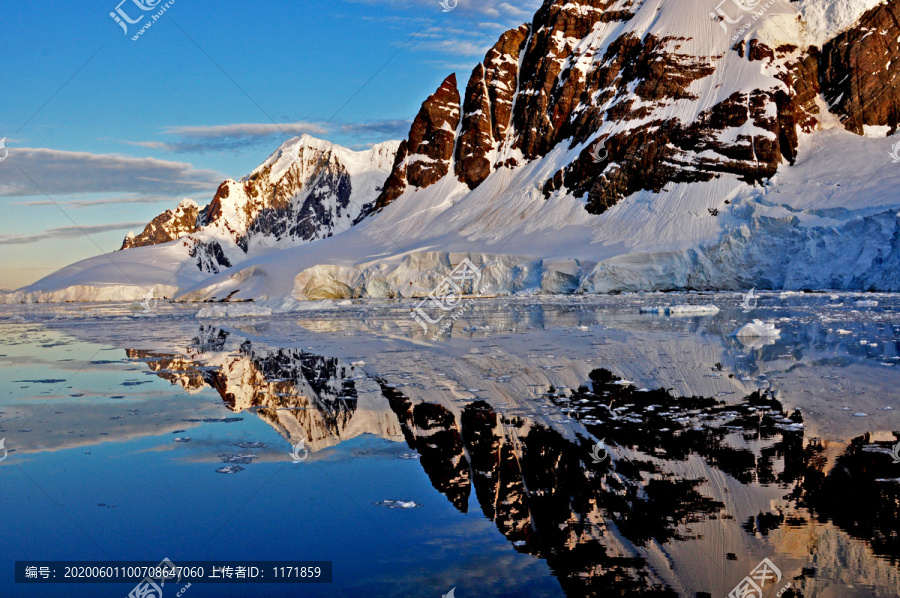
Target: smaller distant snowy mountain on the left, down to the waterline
(307,189)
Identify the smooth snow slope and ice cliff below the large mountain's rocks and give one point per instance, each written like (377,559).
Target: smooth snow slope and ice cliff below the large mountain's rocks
(827,222)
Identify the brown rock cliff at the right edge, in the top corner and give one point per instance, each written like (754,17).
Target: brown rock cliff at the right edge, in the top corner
(859,70)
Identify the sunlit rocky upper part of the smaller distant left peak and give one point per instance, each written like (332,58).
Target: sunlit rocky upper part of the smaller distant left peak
(308,189)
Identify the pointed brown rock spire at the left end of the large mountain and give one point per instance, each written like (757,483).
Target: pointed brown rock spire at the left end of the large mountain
(424,158)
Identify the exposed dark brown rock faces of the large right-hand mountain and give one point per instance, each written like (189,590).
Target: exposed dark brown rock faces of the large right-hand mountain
(558,82)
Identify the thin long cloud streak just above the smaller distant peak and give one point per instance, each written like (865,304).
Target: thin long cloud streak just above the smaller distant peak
(201,139)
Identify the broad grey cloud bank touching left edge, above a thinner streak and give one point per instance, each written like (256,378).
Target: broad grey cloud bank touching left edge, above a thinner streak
(65,173)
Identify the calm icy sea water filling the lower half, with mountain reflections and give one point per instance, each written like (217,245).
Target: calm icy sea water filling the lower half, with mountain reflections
(539,447)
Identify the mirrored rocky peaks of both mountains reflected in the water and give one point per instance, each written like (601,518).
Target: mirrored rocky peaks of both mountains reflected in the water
(689,482)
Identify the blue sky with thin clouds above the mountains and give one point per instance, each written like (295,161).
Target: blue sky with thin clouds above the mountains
(104,132)
